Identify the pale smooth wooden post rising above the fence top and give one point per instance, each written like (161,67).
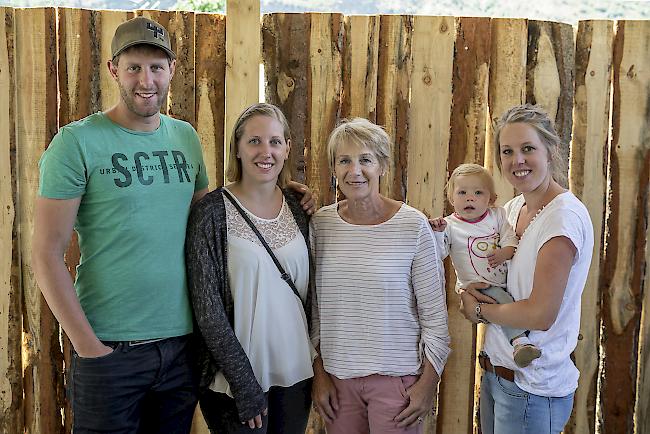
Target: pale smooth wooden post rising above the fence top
(243,48)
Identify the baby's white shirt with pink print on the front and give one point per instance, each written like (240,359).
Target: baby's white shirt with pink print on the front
(470,243)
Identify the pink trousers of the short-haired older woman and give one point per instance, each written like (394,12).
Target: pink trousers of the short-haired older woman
(370,405)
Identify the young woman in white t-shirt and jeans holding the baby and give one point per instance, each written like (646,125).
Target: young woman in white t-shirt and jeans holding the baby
(546,277)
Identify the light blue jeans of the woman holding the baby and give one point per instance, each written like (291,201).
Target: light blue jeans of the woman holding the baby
(505,408)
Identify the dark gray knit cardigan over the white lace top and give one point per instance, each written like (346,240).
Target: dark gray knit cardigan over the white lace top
(216,345)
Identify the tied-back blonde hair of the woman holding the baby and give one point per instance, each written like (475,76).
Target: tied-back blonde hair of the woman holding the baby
(537,118)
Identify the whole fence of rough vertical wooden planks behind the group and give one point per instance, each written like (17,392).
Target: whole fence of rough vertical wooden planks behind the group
(435,83)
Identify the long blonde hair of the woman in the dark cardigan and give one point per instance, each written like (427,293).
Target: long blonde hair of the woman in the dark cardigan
(234,172)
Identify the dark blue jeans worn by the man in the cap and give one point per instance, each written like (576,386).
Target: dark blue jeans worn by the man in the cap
(145,388)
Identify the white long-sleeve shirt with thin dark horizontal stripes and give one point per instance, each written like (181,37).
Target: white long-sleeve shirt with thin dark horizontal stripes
(380,301)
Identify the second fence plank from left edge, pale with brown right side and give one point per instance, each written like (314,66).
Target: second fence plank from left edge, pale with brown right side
(36,122)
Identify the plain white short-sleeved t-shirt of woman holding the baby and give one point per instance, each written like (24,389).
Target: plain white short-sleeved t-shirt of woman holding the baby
(553,374)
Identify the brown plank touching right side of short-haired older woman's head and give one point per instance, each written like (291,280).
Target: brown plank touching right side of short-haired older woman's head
(393,83)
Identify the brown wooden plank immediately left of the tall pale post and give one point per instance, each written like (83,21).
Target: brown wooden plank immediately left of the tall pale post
(211,92)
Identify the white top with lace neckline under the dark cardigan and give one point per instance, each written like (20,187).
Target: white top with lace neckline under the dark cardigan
(269,319)
